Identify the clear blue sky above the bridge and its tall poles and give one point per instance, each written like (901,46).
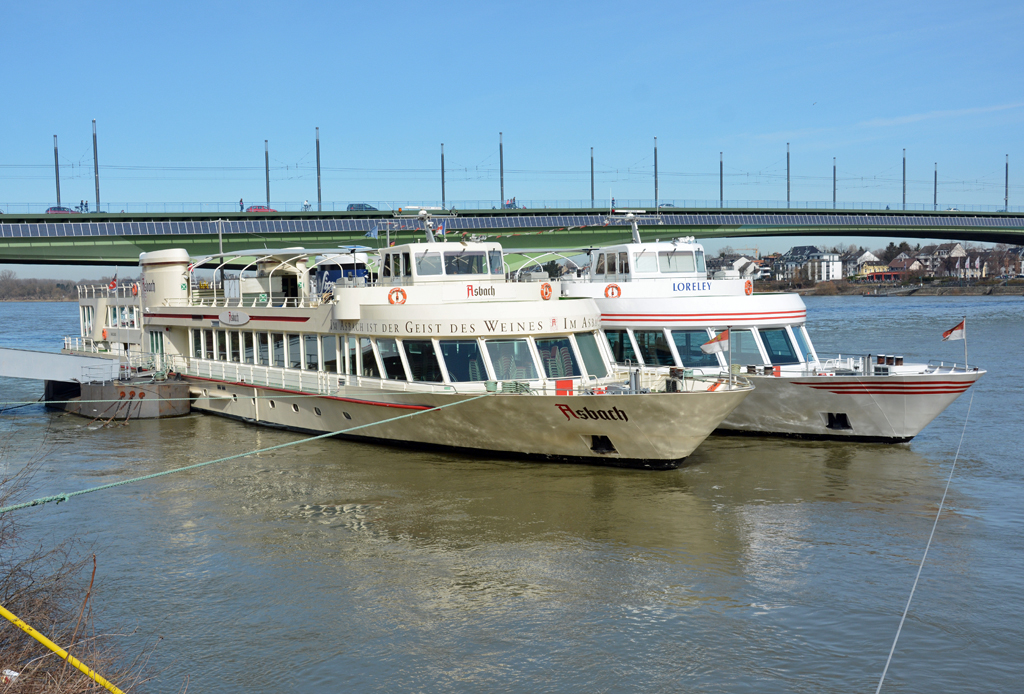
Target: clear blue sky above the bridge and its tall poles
(186,94)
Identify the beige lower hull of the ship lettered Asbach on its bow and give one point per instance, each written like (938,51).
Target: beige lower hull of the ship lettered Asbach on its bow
(654,431)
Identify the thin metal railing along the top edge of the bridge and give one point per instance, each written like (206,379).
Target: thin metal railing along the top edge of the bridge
(540,204)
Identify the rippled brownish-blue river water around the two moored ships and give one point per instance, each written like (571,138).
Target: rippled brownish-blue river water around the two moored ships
(763,567)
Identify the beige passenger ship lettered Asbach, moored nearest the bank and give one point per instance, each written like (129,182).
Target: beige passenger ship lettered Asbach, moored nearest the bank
(324,341)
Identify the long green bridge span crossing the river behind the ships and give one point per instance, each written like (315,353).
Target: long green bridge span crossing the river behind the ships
(118,239)
